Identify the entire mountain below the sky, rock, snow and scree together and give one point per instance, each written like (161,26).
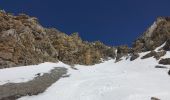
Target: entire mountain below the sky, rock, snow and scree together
(65,67)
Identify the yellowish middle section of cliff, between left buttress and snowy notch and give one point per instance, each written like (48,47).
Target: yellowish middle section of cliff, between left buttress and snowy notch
(72,50)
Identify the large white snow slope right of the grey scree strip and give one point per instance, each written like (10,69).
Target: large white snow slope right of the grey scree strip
(125,80)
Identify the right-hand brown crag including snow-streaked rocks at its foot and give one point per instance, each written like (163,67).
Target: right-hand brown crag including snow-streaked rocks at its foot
(157,35)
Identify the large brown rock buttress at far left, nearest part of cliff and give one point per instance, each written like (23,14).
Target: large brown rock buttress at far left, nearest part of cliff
(23,41)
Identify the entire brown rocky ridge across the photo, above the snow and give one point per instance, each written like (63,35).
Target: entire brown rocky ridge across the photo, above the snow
(23,41)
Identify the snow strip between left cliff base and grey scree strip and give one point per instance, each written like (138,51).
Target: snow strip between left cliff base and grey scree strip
(26,73)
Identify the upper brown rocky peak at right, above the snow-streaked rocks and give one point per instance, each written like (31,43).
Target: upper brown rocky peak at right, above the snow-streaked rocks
(157,34)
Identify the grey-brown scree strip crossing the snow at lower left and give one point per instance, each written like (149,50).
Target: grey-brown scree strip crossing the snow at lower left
(12,91)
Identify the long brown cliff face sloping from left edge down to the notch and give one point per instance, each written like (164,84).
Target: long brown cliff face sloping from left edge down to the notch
(23,41)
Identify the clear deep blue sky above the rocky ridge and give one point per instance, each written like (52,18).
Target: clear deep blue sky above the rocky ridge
(113,22)
